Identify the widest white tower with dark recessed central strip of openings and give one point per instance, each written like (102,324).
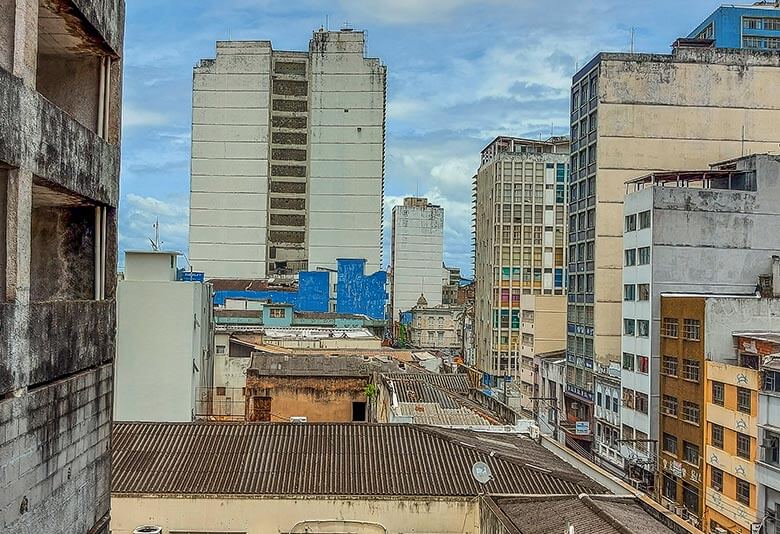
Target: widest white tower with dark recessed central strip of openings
(287,157)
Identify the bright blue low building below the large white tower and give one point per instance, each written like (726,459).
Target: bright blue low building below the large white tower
(356,292)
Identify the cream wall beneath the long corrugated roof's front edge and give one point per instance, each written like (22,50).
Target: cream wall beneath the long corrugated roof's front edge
(263,515)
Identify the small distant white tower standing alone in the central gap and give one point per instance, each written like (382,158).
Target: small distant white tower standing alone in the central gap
(417,250)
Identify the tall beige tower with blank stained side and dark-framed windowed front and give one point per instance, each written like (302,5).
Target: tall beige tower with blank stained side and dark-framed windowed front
(634,114)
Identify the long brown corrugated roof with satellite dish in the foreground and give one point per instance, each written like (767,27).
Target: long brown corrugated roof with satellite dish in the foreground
(346,459)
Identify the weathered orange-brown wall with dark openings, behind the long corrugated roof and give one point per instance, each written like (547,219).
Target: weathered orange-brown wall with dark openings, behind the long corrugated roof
(318,398)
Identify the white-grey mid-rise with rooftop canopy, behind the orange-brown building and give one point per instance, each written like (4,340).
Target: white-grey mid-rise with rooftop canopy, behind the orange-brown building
(739,198)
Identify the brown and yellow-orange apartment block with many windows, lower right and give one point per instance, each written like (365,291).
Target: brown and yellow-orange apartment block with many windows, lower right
(708,420)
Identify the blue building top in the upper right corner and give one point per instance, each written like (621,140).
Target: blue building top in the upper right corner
(756,27)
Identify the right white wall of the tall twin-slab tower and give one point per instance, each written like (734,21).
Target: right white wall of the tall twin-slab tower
(346,151)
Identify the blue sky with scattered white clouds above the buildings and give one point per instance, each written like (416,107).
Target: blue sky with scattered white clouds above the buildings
(460,72)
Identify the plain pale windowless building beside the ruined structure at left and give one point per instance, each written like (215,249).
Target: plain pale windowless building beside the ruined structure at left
(162,335)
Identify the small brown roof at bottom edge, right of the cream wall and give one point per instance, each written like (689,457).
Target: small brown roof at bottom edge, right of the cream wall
(589,514)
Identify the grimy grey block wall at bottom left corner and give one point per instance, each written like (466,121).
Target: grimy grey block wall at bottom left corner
(54,455)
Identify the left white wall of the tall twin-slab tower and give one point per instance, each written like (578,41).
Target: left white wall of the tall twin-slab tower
(229,185)
